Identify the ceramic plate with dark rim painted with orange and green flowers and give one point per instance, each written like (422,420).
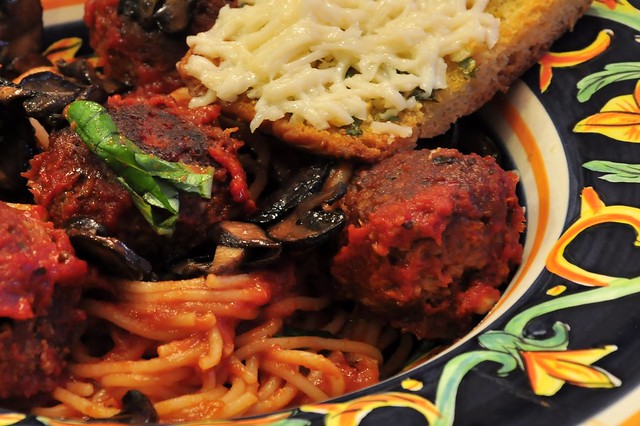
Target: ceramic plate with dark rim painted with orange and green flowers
(561,347)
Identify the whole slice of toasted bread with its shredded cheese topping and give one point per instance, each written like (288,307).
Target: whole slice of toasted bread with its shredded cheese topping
(364,79)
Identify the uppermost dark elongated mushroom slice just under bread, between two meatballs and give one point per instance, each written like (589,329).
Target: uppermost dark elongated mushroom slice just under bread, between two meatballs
(300,187)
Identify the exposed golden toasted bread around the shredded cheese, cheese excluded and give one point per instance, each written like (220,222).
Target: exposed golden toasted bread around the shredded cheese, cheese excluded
(527,30)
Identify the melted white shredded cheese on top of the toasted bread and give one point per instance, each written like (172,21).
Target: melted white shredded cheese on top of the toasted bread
(326,62)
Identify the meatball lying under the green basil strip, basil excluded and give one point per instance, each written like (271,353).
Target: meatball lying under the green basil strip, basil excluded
(71,182)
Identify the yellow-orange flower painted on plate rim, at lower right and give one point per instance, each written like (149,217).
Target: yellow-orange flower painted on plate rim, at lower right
(549,370)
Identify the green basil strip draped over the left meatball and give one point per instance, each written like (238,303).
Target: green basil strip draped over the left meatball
(152,182)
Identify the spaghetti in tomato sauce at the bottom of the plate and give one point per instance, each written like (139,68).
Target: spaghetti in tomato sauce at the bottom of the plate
(217,347)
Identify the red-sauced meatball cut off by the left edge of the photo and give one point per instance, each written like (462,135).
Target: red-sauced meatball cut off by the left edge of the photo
(41,280)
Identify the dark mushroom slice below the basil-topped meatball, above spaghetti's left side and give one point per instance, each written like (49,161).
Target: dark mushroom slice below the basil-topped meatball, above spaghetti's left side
(108,254)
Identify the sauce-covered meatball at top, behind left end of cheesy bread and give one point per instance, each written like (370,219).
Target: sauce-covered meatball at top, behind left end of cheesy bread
(131,42)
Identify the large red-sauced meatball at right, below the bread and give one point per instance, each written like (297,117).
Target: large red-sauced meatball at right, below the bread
(431,237)
